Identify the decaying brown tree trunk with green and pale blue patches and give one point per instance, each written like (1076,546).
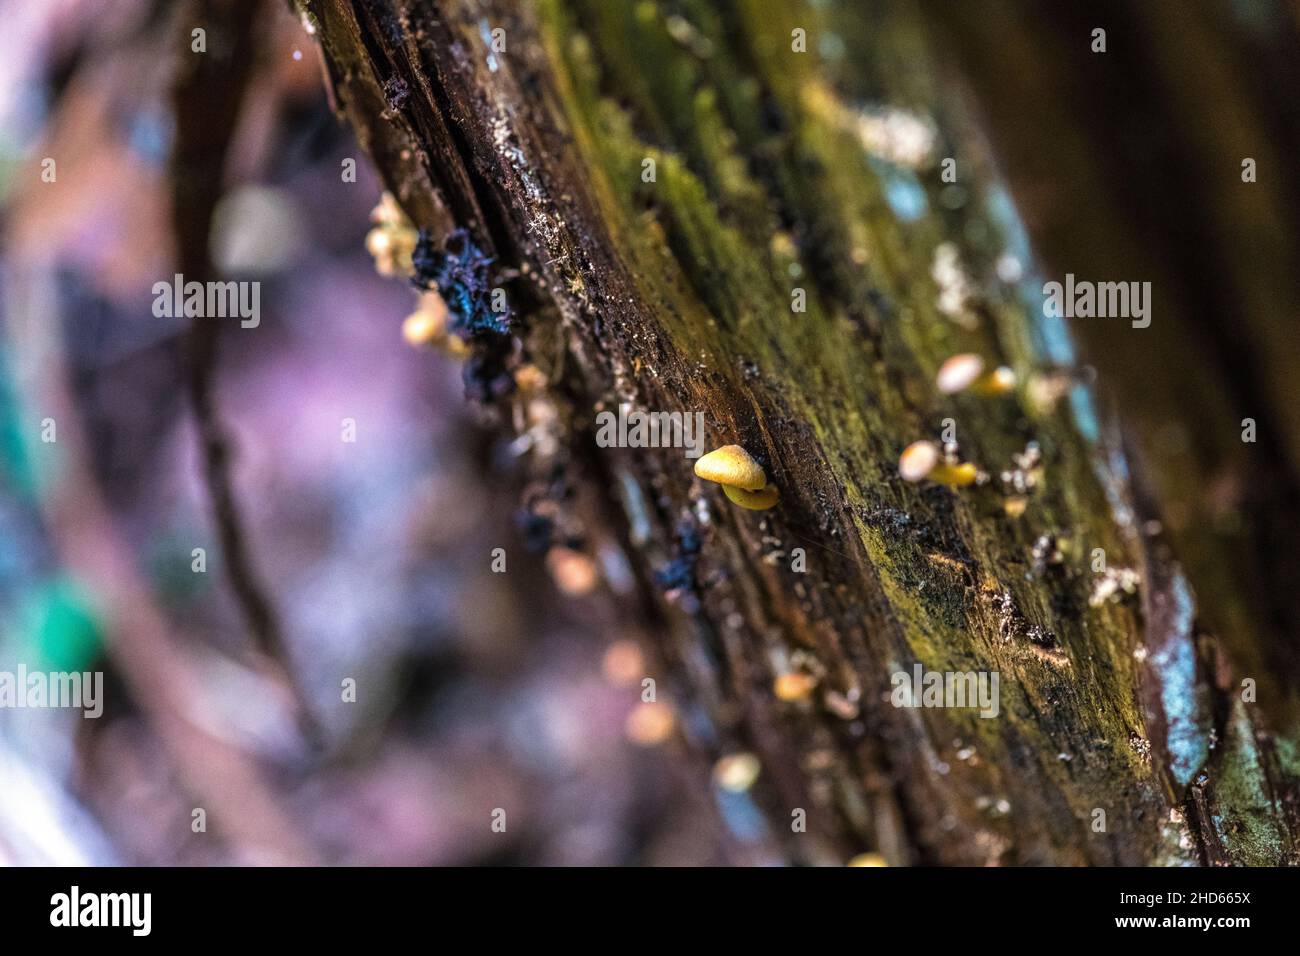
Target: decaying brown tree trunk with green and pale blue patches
(691,213)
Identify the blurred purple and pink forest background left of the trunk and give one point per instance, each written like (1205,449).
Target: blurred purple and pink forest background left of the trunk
(475,690)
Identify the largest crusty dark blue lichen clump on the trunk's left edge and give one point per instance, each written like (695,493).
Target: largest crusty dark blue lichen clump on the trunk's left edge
(461,272)
